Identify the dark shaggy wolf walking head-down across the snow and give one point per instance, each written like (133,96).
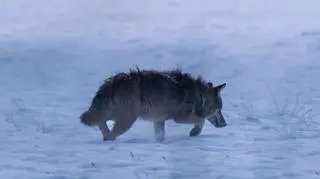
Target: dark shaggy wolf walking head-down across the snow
(155,96)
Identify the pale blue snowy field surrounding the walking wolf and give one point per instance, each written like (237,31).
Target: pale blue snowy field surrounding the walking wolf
(55,54)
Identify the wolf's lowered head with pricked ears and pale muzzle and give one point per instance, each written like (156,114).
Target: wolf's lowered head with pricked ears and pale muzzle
(211,105)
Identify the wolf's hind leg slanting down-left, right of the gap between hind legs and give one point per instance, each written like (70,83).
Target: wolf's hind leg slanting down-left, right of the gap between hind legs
(121,126)
